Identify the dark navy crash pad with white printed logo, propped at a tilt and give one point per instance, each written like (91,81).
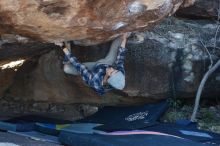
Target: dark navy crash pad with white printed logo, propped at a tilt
(127,118)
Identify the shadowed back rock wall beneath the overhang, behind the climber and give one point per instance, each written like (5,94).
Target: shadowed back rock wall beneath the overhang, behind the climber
(168,61)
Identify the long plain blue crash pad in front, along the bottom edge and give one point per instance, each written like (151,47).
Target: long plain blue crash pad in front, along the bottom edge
(76,139)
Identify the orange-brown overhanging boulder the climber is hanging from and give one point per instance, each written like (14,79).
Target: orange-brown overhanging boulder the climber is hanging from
(87,22)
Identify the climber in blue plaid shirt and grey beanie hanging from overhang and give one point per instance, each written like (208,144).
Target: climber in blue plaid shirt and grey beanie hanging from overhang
(104,74)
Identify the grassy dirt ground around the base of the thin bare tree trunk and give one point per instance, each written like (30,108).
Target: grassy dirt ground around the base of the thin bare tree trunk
(208,116)
